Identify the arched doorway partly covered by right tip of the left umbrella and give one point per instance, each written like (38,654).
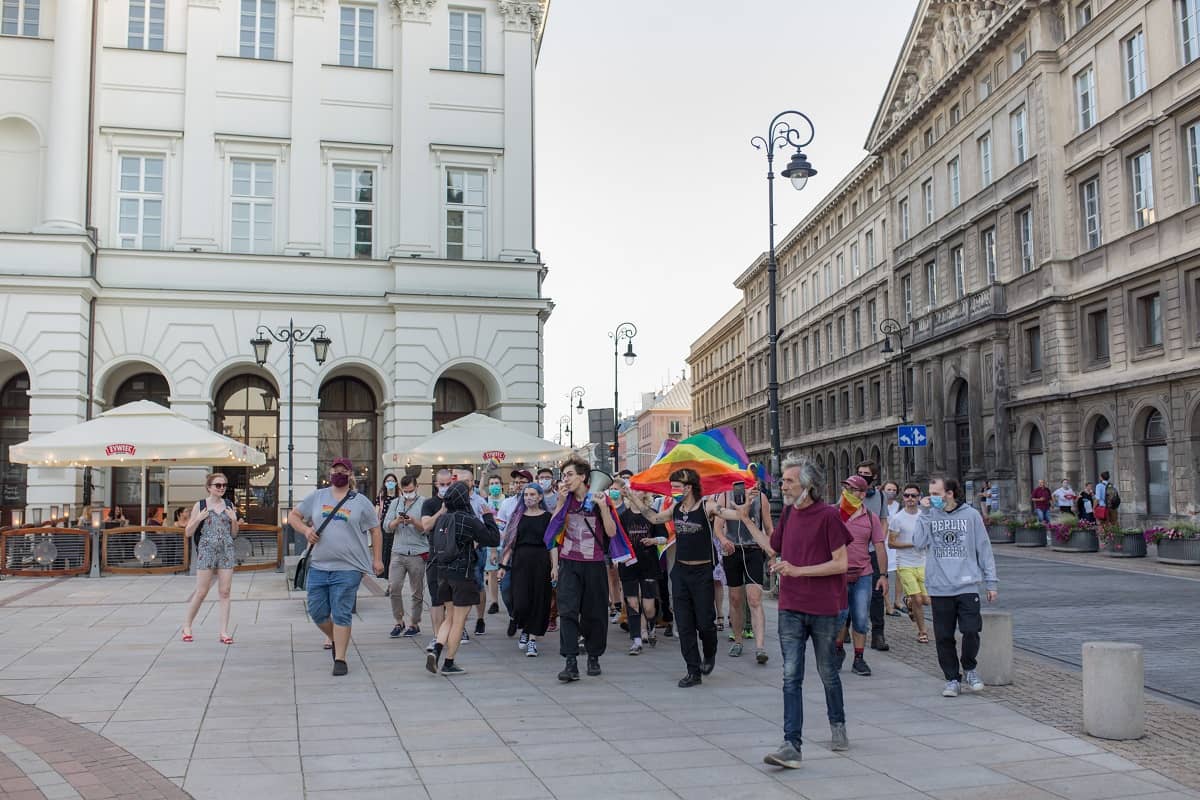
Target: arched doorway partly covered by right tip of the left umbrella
(249,411)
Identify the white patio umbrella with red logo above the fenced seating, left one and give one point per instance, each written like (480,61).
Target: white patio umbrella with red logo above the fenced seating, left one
(136,435)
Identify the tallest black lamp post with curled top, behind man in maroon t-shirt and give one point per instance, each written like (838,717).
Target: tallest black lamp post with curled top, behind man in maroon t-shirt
(800,171)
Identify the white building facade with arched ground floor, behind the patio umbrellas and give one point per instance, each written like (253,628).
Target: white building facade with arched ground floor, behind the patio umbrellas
(179,173)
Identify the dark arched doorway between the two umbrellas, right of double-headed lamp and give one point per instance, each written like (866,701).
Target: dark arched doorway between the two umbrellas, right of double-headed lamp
(347,429)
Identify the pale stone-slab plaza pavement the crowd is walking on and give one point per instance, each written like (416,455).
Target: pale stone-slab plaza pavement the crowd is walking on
(265,718)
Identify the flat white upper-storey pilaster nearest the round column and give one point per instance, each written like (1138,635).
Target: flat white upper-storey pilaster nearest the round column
(201,173)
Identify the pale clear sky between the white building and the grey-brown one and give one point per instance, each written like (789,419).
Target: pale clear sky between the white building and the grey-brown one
(650,199)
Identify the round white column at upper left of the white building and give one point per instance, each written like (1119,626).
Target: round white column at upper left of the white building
(67,140)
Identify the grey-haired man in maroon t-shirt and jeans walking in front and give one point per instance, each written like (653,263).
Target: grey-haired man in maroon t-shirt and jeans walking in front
(812,544)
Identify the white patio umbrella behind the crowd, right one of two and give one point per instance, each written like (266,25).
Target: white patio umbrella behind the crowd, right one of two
(478,440)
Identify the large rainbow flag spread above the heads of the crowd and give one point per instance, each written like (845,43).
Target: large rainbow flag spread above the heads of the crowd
(718,456)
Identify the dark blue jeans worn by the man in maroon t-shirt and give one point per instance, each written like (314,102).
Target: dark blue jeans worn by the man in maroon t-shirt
(795,631)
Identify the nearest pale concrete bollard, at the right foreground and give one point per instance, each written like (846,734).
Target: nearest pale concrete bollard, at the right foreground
(1114,679)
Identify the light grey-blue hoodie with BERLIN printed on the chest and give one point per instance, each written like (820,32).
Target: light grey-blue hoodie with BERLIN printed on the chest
(959,557)
